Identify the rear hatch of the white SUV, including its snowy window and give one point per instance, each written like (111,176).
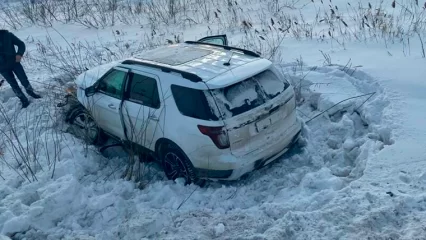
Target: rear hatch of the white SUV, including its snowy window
(254,110)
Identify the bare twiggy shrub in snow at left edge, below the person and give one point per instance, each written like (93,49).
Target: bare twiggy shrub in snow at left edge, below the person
(31,142)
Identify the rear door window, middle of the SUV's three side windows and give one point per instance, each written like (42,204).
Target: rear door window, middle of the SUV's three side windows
(144,90)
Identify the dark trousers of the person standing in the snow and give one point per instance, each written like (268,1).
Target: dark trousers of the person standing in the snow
(19,71)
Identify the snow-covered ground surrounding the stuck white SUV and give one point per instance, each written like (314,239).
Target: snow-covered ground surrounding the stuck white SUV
(361,174)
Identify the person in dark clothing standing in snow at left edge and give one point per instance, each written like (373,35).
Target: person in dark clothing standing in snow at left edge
(10,65)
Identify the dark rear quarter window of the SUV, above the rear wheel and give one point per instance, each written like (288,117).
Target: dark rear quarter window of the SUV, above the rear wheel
(193,103)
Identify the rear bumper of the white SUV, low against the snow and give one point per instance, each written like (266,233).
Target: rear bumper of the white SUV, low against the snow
(245,164)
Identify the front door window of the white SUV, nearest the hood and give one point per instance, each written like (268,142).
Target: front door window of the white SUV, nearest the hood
(112,83)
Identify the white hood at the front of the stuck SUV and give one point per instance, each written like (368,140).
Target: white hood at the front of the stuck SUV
(89,77)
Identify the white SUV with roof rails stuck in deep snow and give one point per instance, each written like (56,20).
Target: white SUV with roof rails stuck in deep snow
(205,111)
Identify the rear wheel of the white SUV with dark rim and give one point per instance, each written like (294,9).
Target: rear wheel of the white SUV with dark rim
(176,164)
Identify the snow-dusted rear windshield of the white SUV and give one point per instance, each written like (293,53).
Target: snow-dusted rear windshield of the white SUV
(249,94)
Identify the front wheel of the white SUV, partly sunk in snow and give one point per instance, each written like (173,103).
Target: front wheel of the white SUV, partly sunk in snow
(85,127)
